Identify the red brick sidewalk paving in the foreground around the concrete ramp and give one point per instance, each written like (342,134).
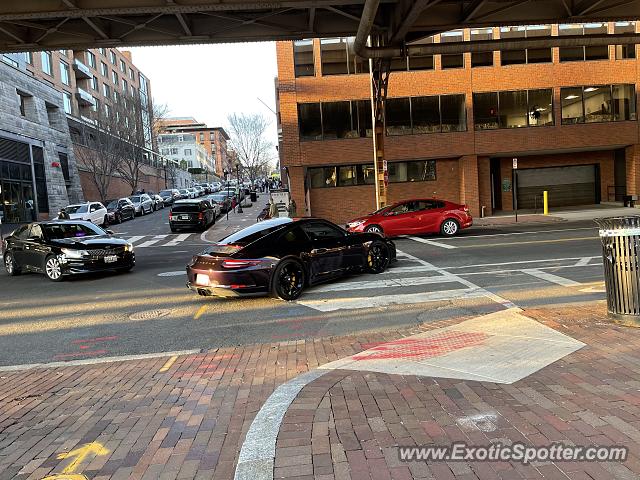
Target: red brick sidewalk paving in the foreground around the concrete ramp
(186,417)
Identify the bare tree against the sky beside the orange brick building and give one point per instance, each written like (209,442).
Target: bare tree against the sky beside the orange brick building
(249,141)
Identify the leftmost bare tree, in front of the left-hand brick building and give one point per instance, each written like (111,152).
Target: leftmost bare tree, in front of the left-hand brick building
(99,149)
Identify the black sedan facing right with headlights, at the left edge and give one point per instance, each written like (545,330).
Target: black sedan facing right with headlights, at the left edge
(59,248)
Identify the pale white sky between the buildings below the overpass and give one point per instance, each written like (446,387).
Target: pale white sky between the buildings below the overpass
(208,82)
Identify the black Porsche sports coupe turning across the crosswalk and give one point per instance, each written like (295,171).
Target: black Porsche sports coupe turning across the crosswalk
(281,256)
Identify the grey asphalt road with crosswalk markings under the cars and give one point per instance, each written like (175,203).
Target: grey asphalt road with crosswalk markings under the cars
(149,310)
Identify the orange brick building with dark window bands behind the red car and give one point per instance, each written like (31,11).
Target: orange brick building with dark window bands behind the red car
(455,122)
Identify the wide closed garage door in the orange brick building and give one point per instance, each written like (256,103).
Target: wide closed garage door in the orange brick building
(566,186)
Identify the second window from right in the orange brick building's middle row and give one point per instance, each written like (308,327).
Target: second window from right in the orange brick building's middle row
(513,109)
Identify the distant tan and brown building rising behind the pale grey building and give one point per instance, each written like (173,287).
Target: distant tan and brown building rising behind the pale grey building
(213,139)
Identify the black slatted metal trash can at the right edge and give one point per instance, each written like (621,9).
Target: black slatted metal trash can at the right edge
(620,237)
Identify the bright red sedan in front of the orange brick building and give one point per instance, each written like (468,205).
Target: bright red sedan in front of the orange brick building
(416,216)
